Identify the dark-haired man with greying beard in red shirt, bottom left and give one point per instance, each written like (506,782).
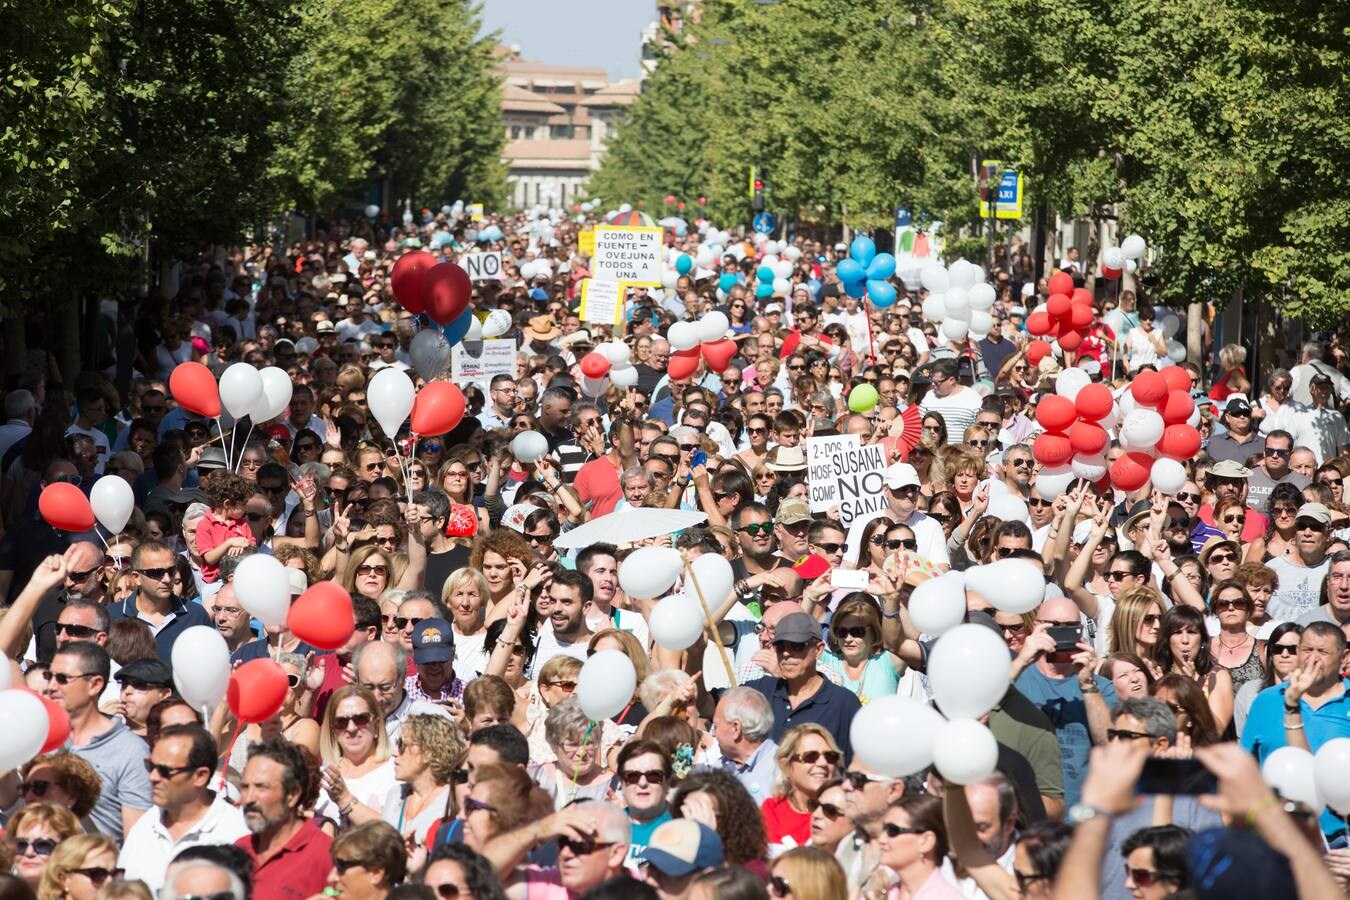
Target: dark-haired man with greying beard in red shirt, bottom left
(290,852)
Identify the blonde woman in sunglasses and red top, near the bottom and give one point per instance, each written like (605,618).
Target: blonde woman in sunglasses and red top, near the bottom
(808,758)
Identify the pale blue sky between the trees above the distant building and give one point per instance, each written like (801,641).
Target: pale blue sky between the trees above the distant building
(580,33)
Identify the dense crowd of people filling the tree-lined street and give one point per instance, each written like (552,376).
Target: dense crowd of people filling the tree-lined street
(442,751)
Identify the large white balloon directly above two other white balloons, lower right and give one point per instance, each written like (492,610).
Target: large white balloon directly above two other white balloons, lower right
(969,671)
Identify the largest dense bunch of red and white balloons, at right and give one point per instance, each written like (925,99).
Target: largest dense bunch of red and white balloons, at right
(1155,420)
